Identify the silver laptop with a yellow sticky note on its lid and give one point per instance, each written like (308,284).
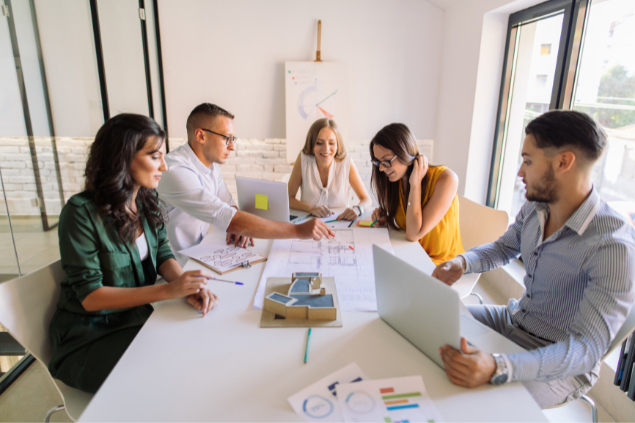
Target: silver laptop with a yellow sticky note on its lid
(268,199)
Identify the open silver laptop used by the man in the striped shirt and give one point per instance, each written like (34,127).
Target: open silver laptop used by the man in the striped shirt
(427,312)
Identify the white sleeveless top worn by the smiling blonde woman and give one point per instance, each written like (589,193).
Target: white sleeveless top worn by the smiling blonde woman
(336,192)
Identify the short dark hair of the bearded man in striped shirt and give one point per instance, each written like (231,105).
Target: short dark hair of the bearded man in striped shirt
(568,128)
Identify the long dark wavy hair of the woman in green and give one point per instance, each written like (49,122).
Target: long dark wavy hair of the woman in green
(108,174)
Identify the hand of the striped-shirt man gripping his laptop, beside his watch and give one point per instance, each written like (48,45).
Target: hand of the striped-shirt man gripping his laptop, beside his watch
(469,367)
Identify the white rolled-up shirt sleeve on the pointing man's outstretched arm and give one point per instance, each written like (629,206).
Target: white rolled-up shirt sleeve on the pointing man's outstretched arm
(182,188)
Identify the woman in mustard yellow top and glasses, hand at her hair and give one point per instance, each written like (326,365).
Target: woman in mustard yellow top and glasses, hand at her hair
(414,196)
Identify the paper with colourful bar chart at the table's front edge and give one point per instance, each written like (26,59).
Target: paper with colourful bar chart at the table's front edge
(398,400)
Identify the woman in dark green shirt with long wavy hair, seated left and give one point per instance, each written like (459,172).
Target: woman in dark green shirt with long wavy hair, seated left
(113,244)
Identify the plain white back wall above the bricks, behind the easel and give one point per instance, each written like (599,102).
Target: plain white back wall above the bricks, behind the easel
(232,53)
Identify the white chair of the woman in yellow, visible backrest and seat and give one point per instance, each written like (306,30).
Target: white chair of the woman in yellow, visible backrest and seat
(479,225)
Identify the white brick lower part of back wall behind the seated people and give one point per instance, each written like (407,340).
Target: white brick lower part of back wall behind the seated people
(254,158)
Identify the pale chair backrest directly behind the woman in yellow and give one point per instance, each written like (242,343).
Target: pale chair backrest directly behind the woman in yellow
(480,224)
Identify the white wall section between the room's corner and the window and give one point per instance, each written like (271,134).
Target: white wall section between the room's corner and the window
(473,50)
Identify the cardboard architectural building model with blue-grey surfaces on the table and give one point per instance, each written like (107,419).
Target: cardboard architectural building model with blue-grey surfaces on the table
(306,299)
